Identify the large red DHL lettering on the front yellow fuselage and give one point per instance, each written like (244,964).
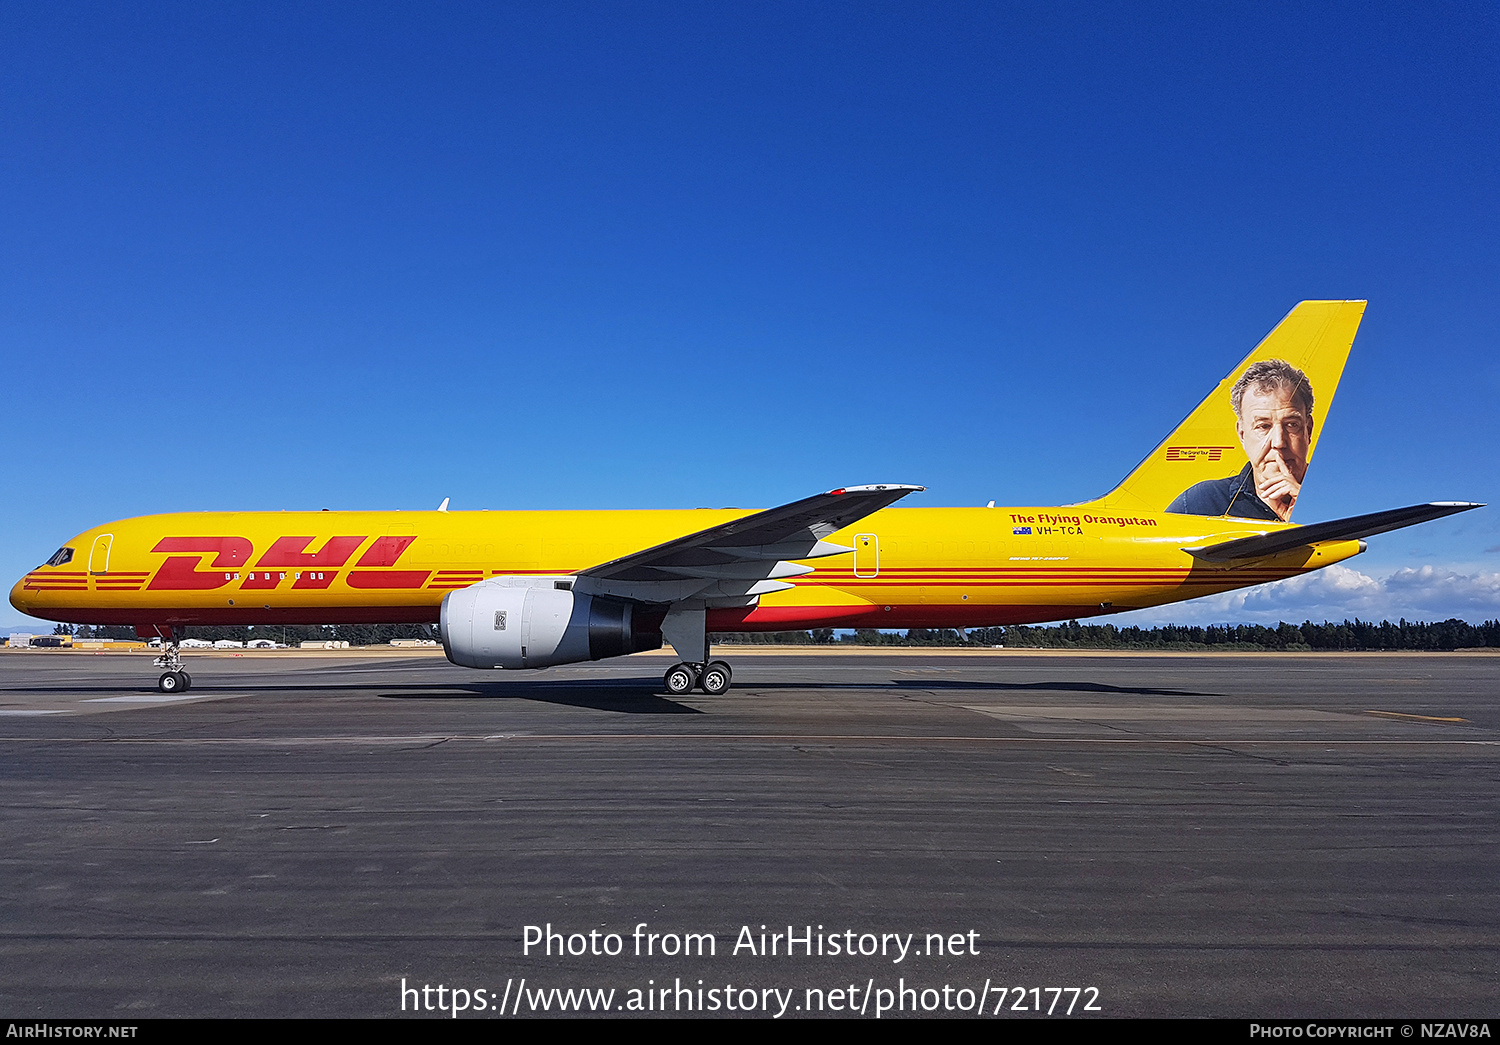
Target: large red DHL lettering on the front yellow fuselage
(287,555)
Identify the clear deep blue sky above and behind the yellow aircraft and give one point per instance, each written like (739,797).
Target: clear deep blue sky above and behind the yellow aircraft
(709,254)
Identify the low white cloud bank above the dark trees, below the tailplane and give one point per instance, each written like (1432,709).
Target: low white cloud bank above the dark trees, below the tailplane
(1337,593)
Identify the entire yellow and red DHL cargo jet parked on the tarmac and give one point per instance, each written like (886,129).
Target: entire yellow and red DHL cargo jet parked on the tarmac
(1210,511)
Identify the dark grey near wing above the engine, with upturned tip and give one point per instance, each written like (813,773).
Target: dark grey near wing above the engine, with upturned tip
(737,561)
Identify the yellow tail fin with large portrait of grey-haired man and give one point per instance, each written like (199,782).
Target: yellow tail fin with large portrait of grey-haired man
(1246,449)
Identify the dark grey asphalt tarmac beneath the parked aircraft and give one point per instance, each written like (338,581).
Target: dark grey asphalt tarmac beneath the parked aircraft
(338,834)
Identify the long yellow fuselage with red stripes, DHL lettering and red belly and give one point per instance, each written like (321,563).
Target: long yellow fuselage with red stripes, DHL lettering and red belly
(910,567)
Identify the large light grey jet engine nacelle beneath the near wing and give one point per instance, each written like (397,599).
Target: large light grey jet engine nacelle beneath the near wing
(496,624)
